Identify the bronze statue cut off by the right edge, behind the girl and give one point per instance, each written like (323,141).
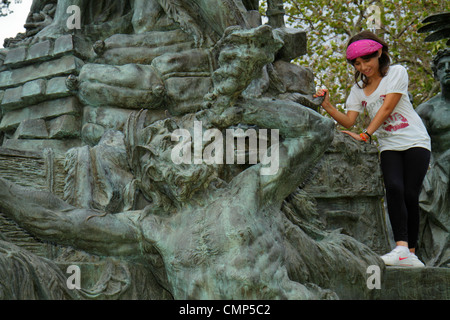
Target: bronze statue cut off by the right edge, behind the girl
(434,200)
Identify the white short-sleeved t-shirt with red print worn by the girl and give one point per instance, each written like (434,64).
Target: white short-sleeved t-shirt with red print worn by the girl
(404,128)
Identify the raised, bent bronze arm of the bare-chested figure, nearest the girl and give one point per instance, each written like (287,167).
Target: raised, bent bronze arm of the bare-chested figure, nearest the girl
(304,136)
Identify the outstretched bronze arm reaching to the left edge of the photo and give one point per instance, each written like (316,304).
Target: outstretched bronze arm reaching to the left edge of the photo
(49,218)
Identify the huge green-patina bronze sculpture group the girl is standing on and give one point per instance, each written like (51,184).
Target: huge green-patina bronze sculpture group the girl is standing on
(87,176)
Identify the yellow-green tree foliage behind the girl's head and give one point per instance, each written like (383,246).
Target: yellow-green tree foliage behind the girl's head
(330,24)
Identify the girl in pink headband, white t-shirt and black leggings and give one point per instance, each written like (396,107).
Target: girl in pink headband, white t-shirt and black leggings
(404,143)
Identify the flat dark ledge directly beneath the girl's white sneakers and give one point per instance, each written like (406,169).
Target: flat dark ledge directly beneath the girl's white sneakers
(415,284)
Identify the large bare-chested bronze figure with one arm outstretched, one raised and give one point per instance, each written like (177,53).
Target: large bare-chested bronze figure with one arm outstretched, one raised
(206,230)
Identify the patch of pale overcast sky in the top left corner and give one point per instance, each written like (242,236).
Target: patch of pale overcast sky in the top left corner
(13,23)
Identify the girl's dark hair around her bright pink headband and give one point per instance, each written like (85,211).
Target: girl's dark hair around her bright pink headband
(384,60)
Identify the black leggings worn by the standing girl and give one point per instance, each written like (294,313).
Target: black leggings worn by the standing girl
(403,173)
